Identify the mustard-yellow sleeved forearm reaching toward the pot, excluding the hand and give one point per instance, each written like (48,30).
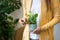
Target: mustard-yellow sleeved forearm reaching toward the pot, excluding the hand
(51,23)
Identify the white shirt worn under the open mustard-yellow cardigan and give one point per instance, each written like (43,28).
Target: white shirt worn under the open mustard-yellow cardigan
(36,8)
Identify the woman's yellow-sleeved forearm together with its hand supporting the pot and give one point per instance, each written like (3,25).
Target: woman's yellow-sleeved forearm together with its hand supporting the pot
(54,21)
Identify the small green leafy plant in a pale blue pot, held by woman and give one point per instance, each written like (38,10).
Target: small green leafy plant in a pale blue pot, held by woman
(32,20)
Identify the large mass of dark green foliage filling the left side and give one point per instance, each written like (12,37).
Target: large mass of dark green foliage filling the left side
(7,23)
